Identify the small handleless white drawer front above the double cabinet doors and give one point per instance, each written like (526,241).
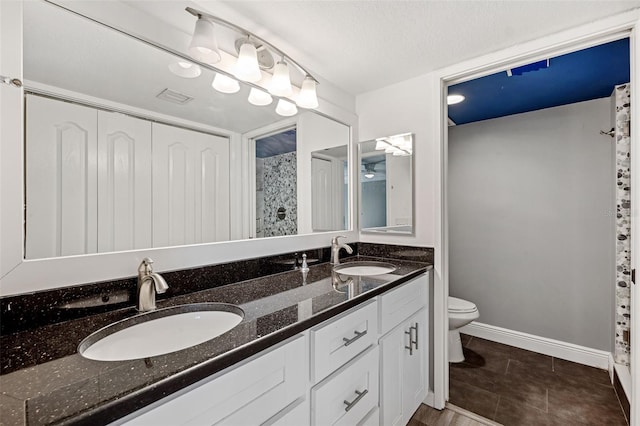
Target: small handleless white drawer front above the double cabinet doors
(400,303)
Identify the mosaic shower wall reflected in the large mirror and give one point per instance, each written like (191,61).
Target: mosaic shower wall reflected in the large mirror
(280,190)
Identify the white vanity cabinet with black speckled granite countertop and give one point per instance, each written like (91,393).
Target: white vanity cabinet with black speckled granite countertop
(313,348)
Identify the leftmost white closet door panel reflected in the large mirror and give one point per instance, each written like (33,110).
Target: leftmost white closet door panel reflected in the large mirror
(61,178)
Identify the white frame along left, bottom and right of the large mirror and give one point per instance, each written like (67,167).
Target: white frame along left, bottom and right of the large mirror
(18,276)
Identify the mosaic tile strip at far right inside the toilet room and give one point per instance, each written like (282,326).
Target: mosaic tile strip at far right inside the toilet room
(622,95)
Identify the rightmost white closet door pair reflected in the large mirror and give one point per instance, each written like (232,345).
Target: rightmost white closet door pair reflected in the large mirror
(190,187)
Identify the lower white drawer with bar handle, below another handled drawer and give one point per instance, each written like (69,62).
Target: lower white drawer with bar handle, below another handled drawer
(347,396)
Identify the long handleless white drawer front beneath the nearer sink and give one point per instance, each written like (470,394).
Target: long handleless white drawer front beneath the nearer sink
(249,394)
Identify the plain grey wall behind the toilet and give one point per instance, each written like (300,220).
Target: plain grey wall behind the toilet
(531,221)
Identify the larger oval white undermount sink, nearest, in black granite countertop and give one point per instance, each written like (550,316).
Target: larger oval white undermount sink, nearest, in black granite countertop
(160,331)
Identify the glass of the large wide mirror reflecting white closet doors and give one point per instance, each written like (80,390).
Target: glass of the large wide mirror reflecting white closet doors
(128,146)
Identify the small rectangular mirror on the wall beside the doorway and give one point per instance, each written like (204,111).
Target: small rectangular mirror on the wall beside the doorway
(386,184)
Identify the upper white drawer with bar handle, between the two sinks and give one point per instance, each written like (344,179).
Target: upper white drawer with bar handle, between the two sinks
(335,343)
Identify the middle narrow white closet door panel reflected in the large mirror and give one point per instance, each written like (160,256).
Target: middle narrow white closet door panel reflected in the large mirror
(124,182)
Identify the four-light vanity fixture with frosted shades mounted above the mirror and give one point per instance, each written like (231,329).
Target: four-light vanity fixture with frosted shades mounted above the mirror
(254,55)
